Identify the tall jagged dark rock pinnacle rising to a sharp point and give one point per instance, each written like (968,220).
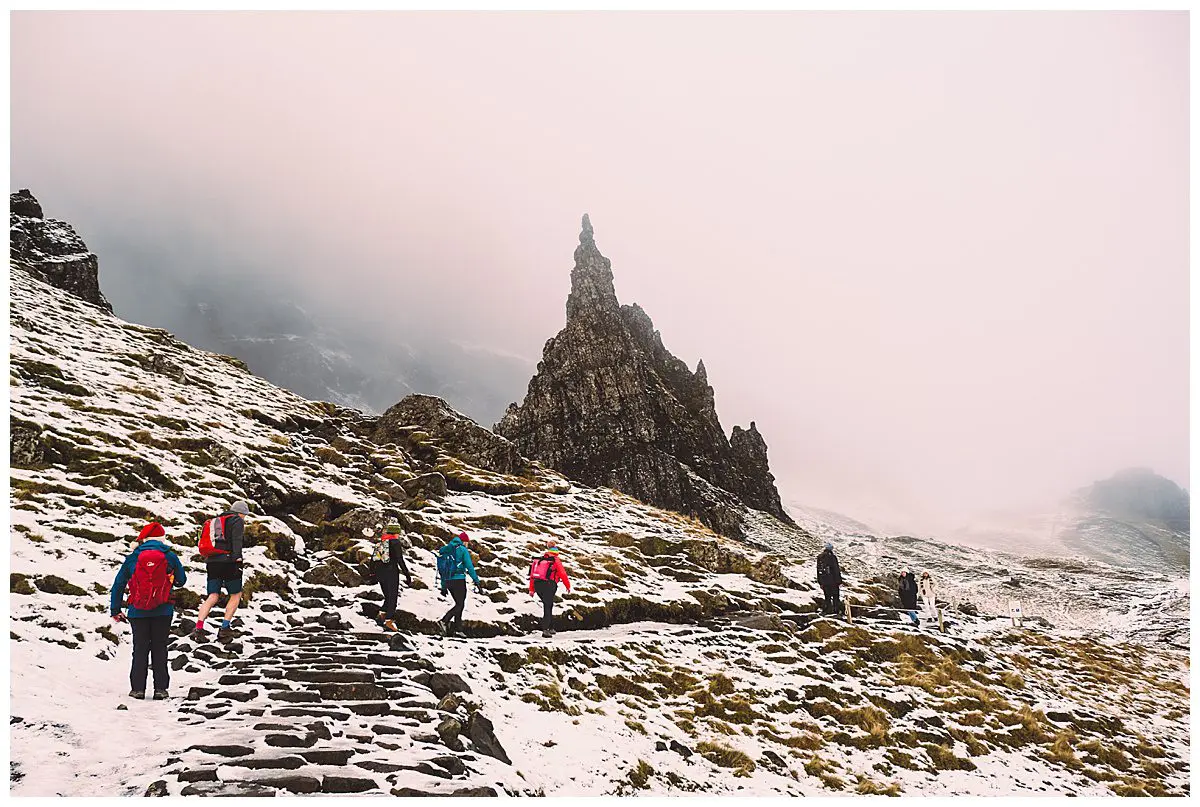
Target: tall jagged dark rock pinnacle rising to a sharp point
(611,407)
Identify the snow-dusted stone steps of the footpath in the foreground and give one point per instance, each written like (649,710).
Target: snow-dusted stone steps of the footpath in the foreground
(320,709)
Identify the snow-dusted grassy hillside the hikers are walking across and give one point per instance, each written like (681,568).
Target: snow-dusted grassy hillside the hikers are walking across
(685,662)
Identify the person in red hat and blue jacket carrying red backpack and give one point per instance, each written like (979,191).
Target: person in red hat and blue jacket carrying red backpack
(149,572)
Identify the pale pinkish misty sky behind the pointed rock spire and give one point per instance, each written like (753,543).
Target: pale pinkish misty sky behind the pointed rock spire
(940,259)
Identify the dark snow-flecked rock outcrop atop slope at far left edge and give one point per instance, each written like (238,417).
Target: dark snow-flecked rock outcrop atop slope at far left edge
(52,252)
